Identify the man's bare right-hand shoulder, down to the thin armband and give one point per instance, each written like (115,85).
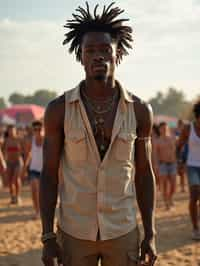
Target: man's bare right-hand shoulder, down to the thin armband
(144,114)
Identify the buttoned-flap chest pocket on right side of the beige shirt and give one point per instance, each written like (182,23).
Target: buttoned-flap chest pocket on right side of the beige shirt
(124,149)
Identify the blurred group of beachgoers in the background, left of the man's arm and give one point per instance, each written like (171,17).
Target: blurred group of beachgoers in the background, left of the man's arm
(21,160)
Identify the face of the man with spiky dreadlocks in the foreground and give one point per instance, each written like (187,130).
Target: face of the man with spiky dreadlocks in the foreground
(98,55)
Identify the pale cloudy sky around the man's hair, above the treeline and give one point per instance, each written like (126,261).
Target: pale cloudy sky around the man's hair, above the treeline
(166,50)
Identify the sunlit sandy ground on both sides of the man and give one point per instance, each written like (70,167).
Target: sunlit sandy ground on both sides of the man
(20,234)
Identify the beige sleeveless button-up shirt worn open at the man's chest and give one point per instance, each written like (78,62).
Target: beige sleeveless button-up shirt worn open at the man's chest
(97,195)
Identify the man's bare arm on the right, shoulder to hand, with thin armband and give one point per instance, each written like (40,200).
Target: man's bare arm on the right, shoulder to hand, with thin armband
(145,179)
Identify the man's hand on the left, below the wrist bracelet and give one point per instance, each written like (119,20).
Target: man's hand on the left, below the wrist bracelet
(51,251)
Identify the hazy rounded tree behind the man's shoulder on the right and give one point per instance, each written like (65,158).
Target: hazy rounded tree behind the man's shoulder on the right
(172,103)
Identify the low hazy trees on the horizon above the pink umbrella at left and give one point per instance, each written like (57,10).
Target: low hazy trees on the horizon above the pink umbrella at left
(40,97)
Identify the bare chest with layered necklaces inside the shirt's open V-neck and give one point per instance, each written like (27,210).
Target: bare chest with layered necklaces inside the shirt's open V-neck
(100,111)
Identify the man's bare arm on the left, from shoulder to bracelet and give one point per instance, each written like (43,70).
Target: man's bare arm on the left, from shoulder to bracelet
(52,149)
